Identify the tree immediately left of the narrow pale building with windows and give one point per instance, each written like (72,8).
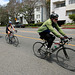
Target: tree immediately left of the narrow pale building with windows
(27,9)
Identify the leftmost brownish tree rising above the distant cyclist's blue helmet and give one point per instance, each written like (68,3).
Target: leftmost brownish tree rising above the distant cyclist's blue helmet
(13,10)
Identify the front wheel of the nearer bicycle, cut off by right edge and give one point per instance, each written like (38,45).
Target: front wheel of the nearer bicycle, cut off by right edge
(66,62)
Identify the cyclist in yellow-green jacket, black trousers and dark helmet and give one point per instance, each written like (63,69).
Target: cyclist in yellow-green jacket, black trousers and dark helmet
(48,27)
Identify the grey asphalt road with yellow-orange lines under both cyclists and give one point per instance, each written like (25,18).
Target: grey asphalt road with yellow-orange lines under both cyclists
(22,61)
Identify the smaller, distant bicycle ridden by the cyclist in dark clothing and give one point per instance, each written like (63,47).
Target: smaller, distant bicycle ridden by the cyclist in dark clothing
(12,39)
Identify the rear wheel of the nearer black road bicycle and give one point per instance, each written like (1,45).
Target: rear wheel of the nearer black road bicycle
(39,50)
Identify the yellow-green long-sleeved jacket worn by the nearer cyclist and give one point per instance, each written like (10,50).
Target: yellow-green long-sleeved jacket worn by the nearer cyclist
(47,26)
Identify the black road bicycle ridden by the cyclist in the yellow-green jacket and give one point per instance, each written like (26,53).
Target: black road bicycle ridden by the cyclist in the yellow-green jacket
(65,56)
